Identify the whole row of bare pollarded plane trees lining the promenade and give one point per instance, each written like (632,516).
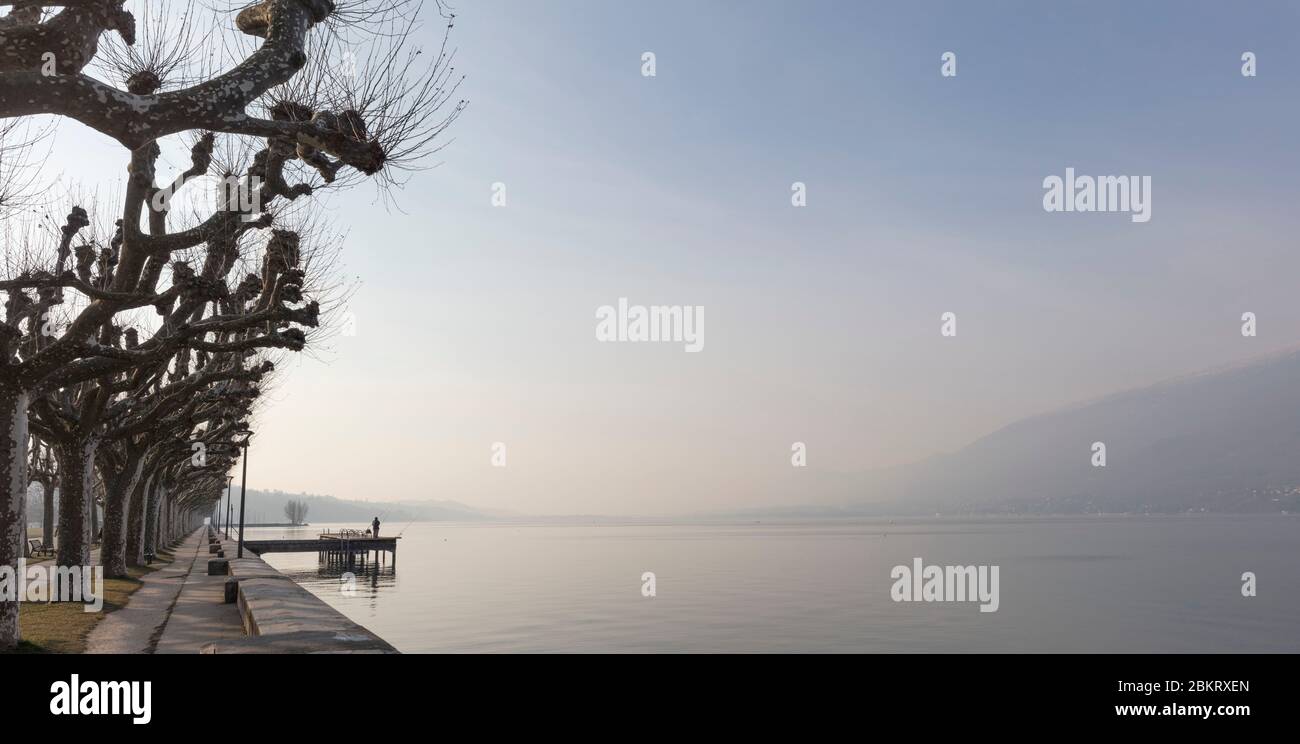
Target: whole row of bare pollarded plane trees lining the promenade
(141,332)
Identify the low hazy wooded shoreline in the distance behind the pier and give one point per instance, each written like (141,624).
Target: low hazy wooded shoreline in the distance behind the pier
(268,507)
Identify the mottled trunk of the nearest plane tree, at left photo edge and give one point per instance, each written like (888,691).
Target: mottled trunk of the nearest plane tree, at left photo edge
(14,505)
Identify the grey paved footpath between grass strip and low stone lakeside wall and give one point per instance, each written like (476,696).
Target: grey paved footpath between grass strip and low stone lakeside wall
(177,611)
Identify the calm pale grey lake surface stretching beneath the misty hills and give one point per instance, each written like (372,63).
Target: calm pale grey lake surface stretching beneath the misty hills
(1068,585)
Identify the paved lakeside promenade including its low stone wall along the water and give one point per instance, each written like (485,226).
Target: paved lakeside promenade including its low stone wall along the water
(183,609)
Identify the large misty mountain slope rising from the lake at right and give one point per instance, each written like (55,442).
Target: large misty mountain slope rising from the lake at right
(1220,442)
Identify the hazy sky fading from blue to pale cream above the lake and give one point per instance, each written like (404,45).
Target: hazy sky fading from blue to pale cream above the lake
(475,325)
